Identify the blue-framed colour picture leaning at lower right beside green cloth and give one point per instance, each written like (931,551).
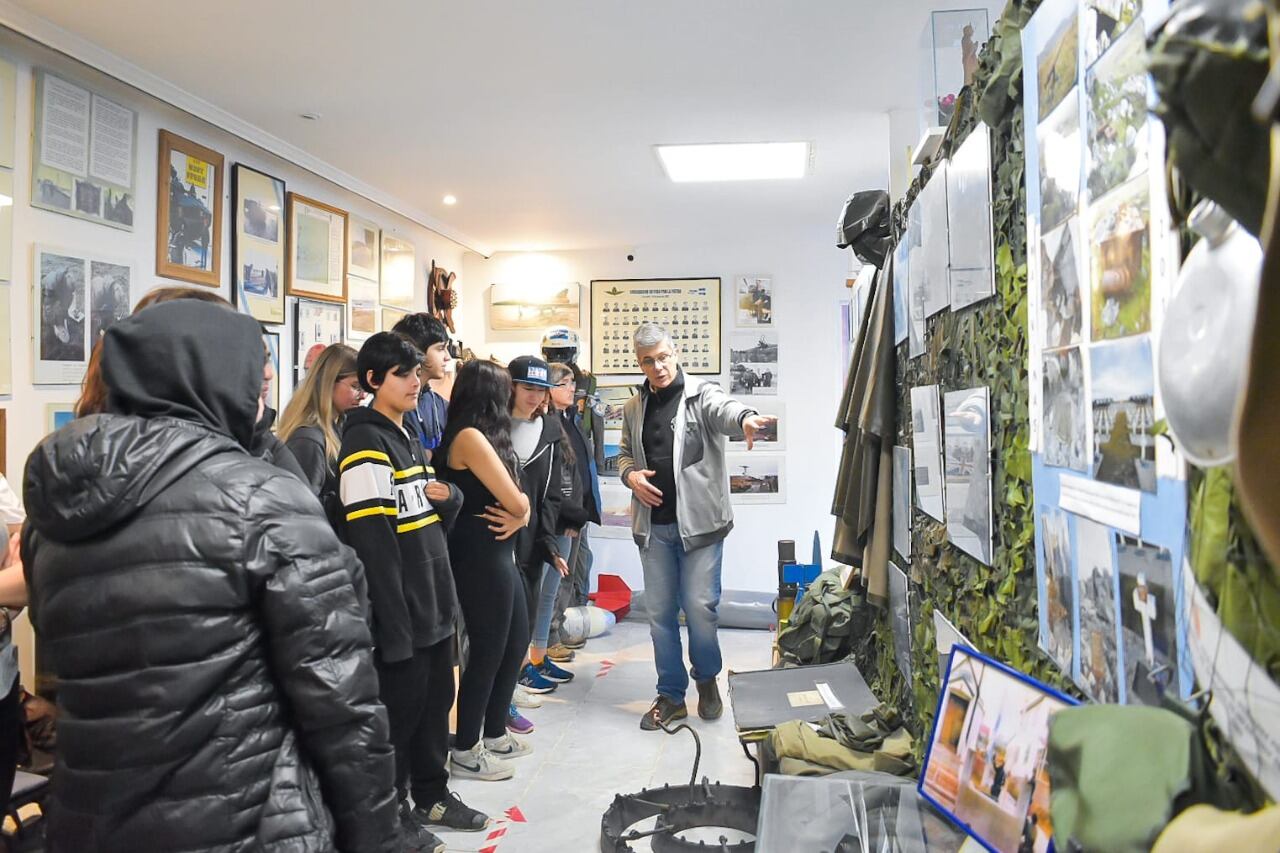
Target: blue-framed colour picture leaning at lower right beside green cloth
(986,763)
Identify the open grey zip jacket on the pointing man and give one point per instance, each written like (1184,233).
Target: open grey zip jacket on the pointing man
(707,417)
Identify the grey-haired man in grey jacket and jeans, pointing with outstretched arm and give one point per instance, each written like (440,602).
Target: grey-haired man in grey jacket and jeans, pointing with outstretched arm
(673,459)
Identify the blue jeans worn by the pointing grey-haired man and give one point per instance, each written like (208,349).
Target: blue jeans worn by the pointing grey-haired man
(676,580)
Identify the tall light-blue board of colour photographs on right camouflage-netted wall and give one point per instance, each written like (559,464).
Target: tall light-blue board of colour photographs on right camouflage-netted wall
(1110,498)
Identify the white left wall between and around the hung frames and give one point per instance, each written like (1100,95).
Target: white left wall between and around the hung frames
(26,407)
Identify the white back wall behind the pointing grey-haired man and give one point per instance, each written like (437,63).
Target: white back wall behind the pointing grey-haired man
(810,282)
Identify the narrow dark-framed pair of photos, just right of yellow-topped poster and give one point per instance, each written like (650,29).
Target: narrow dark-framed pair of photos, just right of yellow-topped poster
(258,244)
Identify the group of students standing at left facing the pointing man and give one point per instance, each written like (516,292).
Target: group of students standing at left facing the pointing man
(254,635)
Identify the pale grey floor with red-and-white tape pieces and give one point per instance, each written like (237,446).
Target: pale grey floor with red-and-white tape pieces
(588,747)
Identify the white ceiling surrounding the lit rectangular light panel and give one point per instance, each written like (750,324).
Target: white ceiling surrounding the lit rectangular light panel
(541,117)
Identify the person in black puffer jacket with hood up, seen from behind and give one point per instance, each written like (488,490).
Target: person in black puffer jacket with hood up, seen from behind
(217,690)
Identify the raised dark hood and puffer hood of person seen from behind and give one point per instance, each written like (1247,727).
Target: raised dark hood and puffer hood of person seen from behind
(184,381)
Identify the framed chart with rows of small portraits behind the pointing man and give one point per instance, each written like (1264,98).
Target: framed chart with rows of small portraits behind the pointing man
(688,308)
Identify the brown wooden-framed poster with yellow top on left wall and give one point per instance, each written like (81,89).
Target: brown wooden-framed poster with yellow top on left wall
(189,212)
